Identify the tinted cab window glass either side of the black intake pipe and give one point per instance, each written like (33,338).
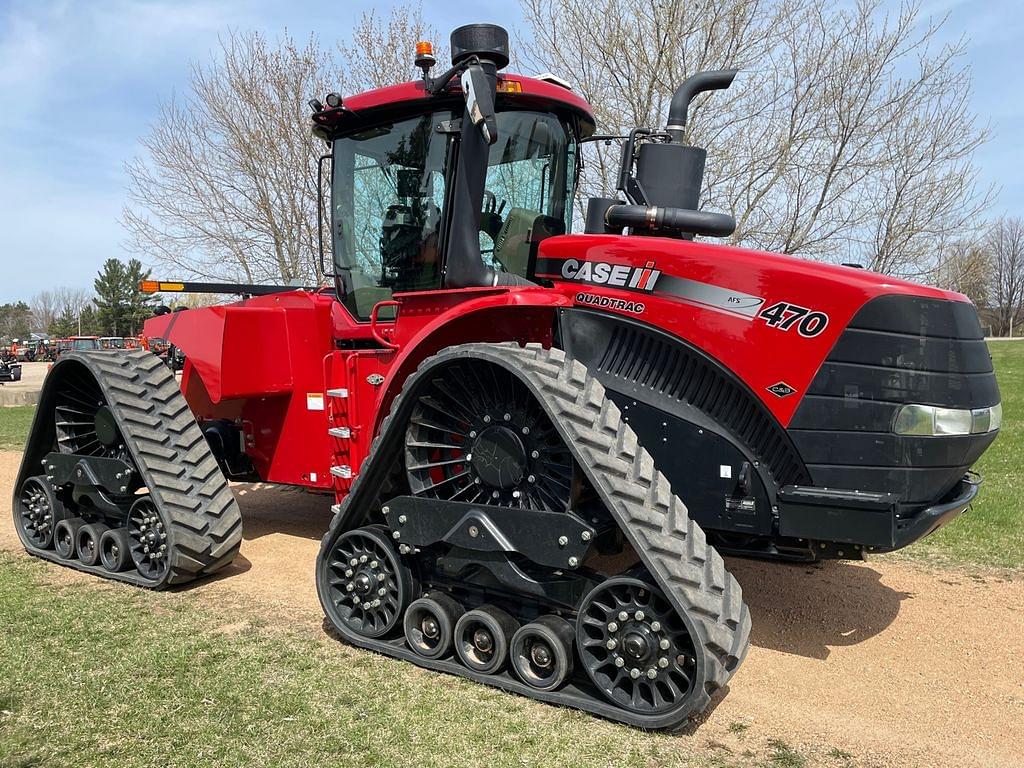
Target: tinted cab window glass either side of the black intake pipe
(389,197)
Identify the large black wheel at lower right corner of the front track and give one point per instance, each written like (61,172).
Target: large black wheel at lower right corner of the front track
(635,648)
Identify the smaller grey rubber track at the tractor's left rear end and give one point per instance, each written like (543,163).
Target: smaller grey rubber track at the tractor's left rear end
(174,459)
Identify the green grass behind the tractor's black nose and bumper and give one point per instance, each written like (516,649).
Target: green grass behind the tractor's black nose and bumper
(993,532)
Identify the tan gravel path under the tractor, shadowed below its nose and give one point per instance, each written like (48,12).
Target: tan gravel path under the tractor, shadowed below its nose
(892,663)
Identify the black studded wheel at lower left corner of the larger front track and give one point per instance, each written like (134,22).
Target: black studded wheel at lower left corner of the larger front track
(369,583)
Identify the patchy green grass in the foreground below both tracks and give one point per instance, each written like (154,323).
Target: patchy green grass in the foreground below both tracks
(101,675)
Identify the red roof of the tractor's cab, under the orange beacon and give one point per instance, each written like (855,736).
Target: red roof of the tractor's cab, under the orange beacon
(514,91)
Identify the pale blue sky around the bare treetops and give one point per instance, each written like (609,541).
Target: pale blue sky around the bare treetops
(81,81)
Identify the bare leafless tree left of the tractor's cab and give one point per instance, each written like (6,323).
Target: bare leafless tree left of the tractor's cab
(227,188)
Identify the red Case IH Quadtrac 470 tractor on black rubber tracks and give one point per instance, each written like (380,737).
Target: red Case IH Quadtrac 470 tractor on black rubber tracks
(539,443)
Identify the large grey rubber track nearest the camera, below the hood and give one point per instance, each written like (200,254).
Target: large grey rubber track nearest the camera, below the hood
(674,549)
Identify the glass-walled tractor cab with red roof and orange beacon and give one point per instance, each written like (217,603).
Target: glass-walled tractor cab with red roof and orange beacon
(451,182)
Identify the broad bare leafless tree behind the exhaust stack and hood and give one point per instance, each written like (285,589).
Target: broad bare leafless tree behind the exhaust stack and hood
(848,136)
